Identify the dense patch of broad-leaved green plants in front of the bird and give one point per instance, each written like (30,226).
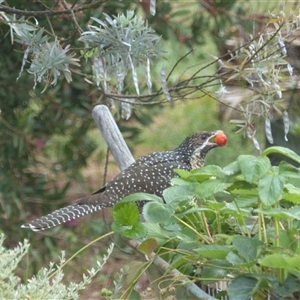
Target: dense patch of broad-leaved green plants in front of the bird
(250,240)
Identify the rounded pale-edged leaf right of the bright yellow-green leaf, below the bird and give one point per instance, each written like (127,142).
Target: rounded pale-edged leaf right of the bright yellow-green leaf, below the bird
(155,212)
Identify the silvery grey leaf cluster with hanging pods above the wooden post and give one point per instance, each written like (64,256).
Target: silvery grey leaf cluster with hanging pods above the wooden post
(120,45)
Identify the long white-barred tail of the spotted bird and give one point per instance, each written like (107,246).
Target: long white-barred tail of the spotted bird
(61,216)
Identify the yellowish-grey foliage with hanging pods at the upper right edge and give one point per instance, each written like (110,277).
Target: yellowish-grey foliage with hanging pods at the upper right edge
(264,65)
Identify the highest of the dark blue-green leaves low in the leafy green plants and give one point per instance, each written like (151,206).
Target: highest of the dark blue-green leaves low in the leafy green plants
(248,248)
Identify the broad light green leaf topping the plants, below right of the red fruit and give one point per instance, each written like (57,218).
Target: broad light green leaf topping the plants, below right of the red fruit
(253,168)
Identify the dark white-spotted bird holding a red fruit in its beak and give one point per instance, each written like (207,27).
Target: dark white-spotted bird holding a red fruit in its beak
(149,174)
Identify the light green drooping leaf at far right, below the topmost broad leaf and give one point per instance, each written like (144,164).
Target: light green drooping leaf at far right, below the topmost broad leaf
(270,188)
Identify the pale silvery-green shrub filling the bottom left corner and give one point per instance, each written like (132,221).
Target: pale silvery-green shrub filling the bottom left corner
(46,284)
